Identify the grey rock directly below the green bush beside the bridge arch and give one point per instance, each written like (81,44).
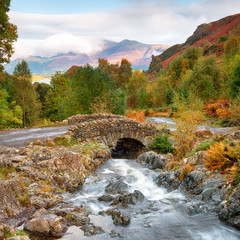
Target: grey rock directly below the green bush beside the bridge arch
(153,160)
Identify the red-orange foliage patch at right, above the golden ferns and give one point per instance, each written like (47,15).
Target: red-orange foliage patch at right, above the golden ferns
(219,108)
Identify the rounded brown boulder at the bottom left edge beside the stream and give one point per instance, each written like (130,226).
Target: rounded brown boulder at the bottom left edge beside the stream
(47,225)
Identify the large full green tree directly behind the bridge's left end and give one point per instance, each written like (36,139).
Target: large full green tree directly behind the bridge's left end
(89,87)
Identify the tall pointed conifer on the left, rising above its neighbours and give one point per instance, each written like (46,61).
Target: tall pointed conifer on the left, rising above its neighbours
(24,94)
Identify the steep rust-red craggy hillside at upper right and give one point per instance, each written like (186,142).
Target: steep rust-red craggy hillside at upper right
(210,37)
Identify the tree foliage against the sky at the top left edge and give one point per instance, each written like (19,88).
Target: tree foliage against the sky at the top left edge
(8,34)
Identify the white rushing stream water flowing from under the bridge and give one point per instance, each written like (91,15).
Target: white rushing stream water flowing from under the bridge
(161,215)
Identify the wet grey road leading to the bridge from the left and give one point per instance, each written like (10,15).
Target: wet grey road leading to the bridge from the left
(18,138)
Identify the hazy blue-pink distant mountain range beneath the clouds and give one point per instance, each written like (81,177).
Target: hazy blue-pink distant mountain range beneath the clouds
(137,53)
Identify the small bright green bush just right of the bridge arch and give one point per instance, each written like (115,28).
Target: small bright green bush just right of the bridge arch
(162,144)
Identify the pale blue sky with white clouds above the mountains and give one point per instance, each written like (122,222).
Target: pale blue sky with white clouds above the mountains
(50,27)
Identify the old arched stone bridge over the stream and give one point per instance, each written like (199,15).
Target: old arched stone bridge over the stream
(112,130)
